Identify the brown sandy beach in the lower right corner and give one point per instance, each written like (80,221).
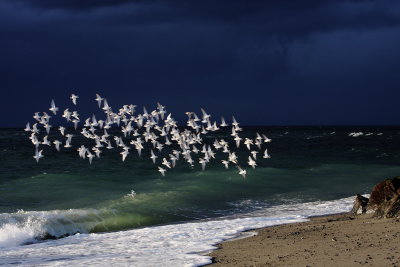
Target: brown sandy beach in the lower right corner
(337,240)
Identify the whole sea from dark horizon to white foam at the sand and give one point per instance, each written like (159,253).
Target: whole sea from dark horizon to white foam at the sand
(64,211)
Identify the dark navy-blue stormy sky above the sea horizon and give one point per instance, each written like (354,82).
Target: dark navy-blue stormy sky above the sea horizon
(271,62)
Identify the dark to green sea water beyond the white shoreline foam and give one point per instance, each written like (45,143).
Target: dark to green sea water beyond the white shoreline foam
(306,164)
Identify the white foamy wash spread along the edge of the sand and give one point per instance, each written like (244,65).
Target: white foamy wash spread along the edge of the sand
(168,245)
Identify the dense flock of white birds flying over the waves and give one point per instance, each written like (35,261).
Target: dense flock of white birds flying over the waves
(156,128)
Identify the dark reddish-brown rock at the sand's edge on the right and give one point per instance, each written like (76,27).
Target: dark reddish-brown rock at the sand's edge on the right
(384,200)
